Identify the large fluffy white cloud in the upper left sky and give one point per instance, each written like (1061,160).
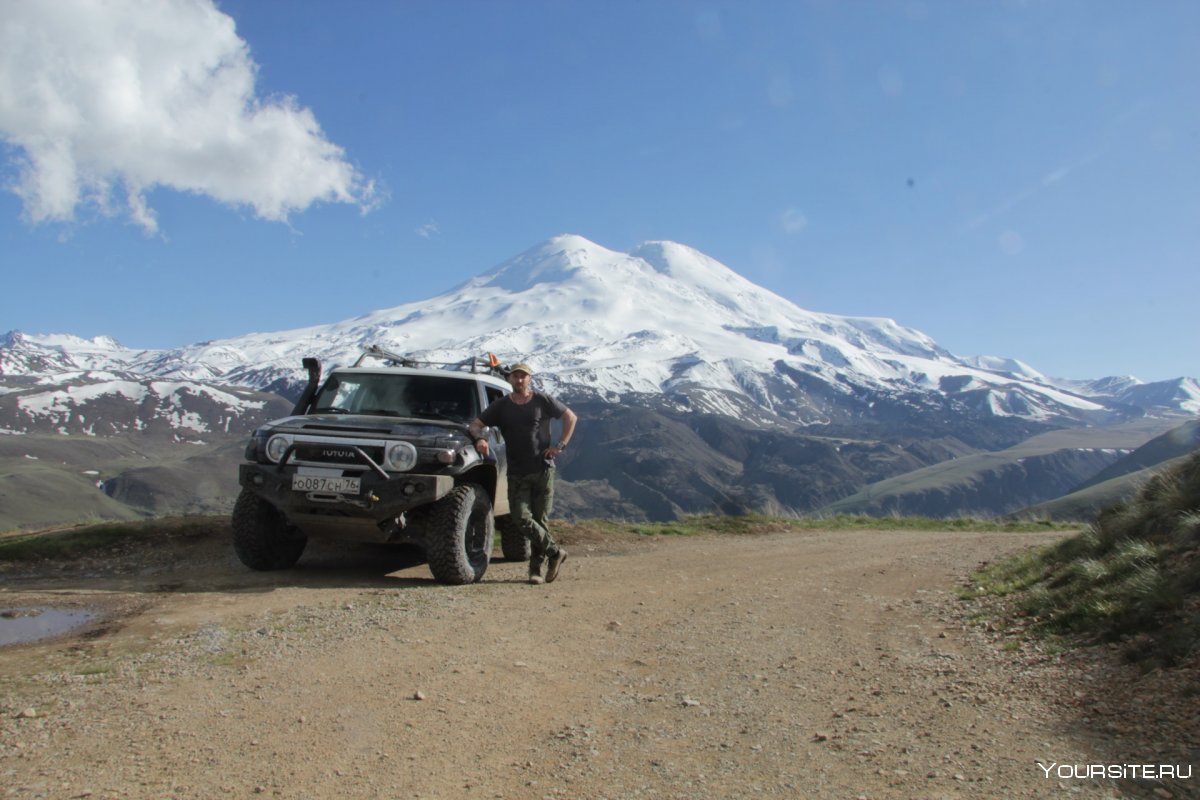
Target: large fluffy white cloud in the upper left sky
(105,101)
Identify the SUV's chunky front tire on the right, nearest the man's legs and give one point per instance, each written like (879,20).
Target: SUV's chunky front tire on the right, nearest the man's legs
(461,533)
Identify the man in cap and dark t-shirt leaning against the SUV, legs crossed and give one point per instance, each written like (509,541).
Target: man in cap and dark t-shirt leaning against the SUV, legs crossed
(524,419)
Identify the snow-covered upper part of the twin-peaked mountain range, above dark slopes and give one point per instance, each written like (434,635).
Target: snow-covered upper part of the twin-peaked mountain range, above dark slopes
(663,326)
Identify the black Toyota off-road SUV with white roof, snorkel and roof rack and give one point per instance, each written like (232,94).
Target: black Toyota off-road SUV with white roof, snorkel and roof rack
(381,454)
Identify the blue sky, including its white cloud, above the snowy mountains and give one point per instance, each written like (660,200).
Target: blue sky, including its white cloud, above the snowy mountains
(1016,179)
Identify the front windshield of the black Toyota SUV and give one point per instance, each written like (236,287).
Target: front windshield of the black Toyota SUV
(428,398)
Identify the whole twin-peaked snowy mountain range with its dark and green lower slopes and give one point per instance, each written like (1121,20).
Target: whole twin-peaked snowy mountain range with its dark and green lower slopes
(701,393)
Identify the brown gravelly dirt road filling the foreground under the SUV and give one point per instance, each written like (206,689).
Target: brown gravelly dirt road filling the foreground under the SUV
(799,665)
